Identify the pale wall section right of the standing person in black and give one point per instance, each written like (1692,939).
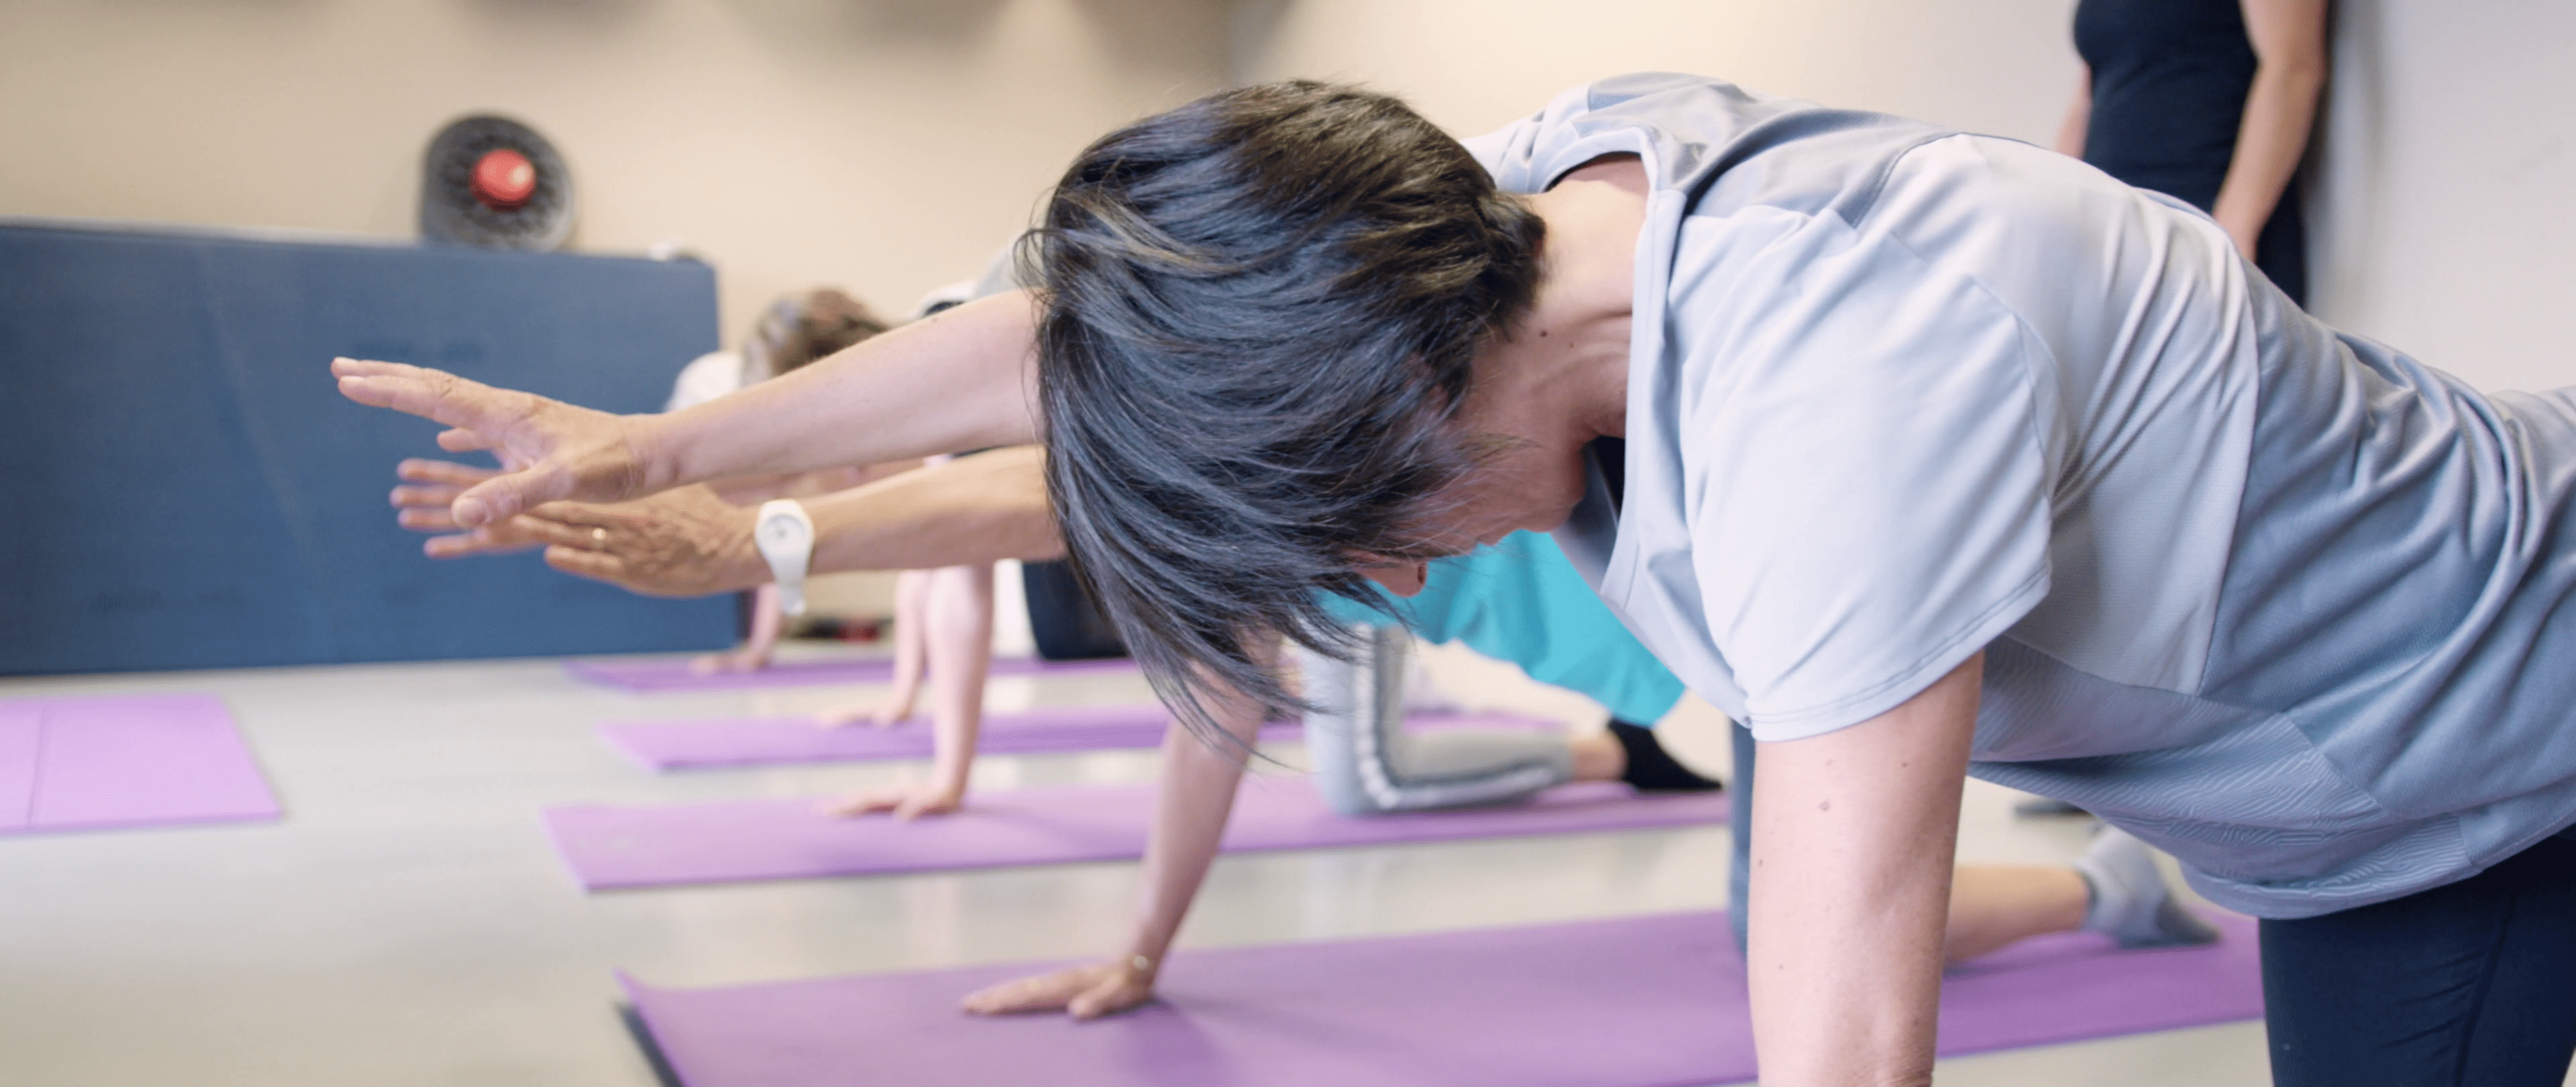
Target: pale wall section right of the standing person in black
(2448,187)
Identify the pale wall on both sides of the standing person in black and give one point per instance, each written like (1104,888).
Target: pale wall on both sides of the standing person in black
(2446,176)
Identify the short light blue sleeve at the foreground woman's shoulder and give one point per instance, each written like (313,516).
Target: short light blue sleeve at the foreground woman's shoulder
(1866,475)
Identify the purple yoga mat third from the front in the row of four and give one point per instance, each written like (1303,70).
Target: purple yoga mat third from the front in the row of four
(769,741)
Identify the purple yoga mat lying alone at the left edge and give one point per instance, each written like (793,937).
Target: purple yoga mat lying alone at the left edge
(133,761)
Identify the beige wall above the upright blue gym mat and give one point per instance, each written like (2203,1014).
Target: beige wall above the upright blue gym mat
(885,146)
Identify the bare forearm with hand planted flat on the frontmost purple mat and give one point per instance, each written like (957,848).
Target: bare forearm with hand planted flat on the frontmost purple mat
(1191,813)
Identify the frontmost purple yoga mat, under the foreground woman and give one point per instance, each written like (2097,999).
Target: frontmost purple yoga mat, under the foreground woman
(1616,1003)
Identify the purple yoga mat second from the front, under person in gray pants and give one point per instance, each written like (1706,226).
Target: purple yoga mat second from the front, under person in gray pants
(743,841)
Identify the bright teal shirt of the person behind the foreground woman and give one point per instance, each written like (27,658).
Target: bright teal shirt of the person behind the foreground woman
(1524,601)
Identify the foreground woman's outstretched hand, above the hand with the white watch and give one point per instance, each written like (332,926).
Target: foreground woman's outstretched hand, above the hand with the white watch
(553,449)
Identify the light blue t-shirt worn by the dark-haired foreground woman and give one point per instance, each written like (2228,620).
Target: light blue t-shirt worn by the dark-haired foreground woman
(2278,601)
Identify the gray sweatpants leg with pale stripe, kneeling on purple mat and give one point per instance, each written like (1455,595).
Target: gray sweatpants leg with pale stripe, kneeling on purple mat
(1367,764)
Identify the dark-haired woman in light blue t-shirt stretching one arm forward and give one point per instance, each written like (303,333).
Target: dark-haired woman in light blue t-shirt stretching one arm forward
(1944,455)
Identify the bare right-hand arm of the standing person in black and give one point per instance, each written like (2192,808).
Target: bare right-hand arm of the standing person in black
(2289,76)
